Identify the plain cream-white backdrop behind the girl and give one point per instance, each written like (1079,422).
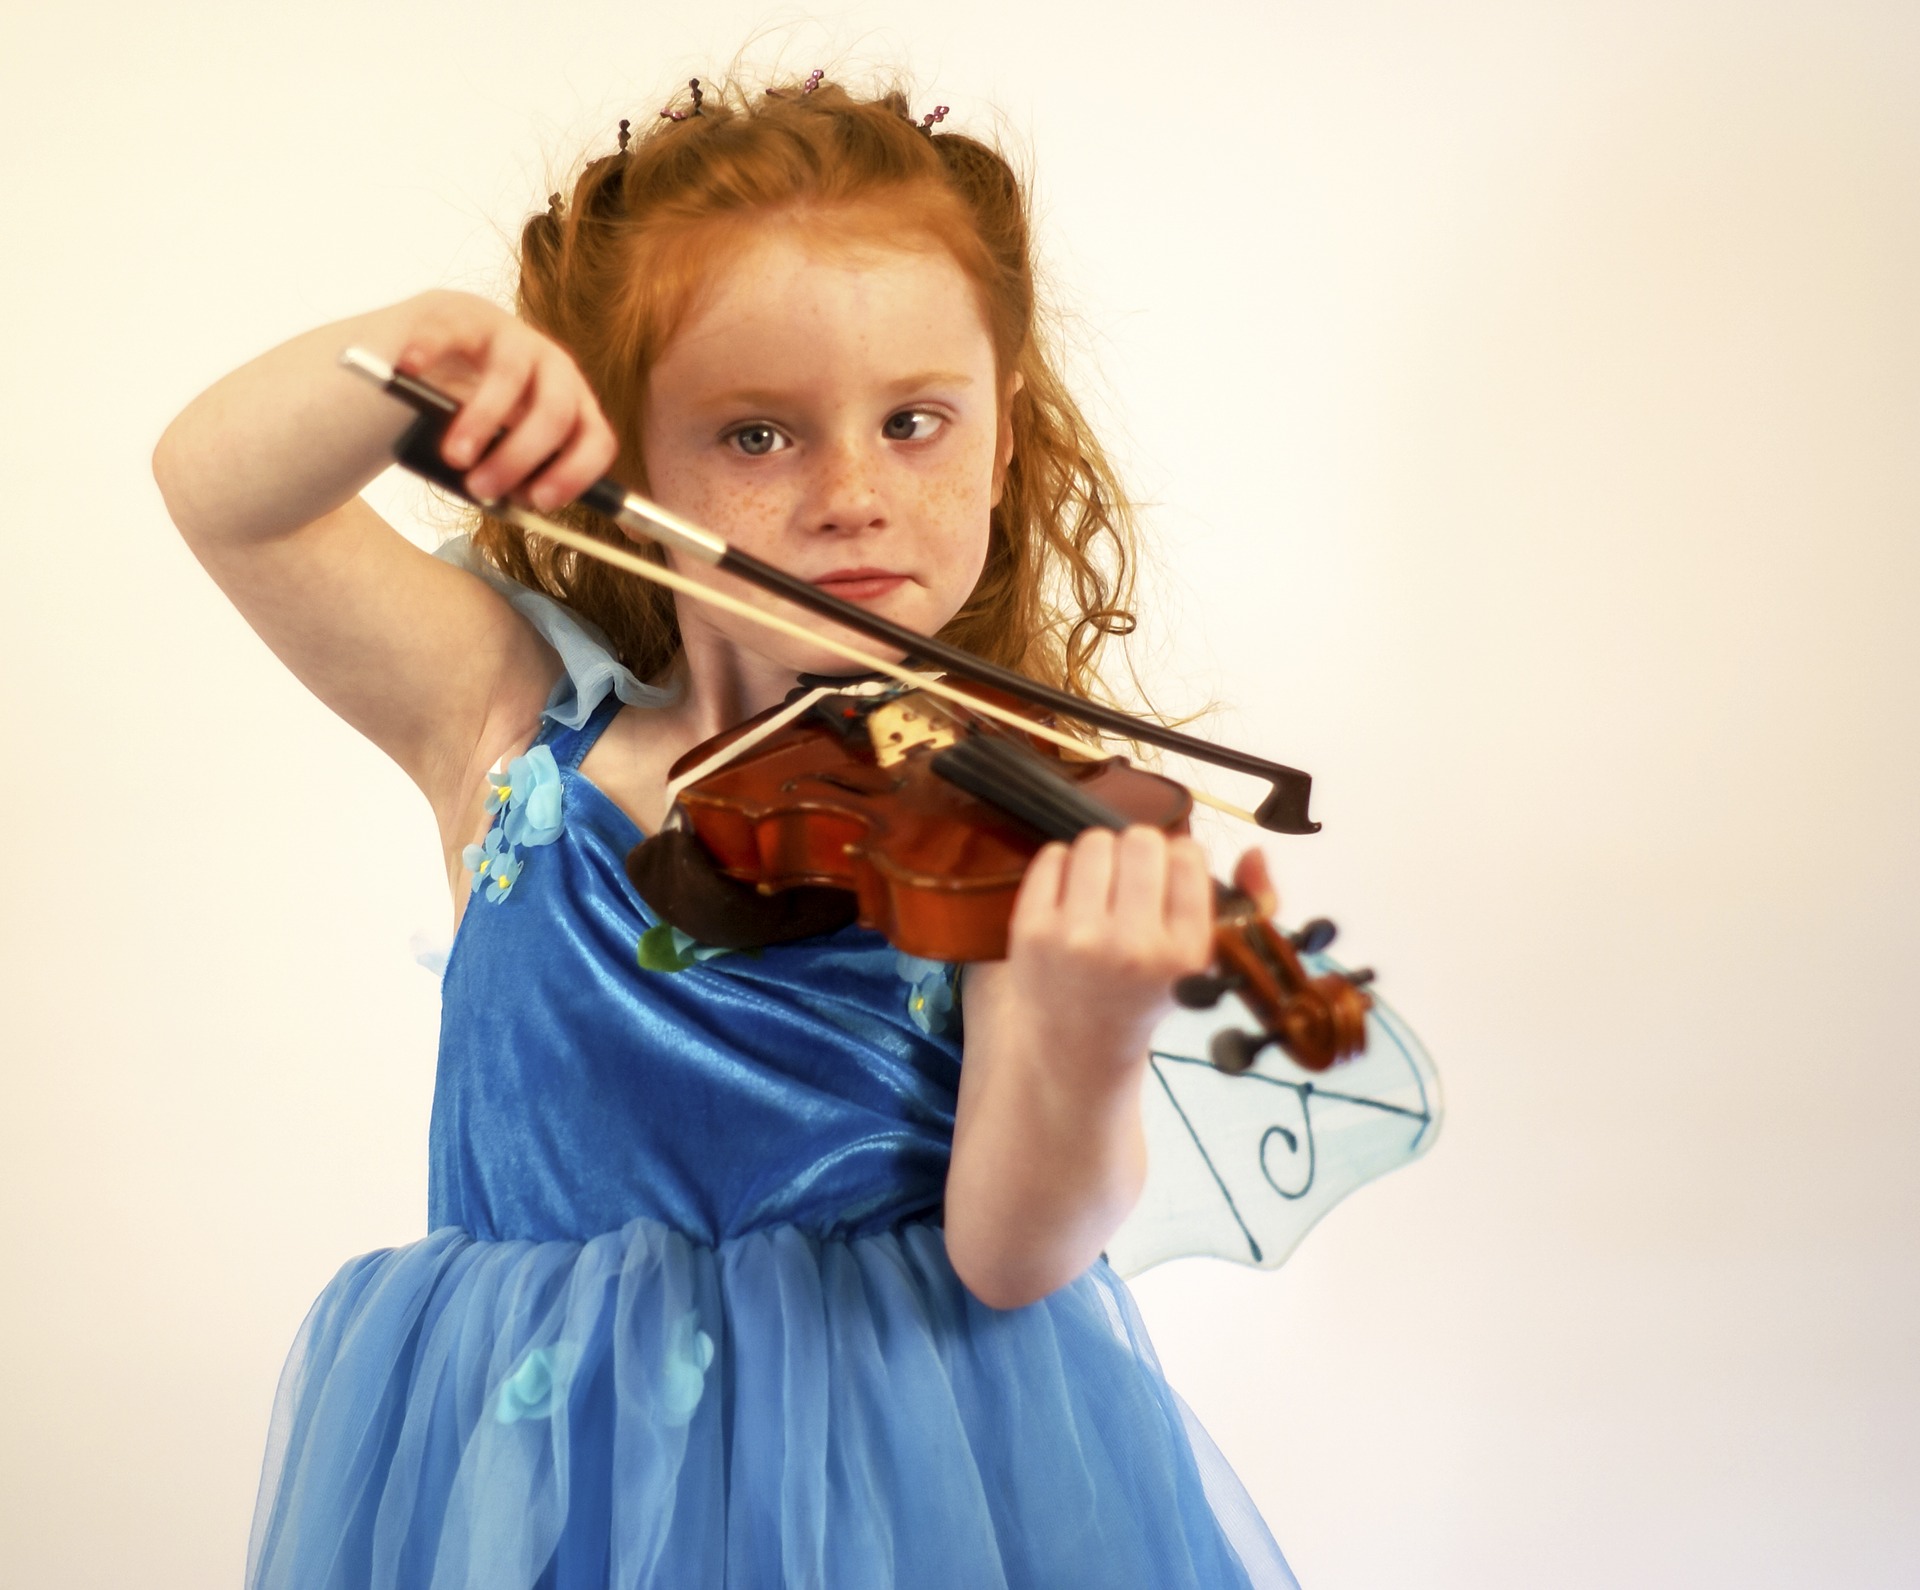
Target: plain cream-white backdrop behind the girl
(1527,404)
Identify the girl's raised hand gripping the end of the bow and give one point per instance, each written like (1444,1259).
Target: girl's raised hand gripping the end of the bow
(517,387)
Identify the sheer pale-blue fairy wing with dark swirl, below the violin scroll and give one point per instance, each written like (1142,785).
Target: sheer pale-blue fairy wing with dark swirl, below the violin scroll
(1243,1167)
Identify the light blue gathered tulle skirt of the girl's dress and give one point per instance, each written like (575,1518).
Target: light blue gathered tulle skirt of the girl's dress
(782,1410)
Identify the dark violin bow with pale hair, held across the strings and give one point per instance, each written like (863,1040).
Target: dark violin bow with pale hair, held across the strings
(1289,790)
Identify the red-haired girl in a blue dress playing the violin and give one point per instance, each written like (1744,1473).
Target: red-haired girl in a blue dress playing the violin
(744,1268)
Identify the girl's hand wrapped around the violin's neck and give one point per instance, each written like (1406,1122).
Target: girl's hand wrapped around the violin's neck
(1099,936)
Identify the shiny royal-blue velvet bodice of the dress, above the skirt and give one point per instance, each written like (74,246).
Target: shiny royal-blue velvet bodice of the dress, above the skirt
(807,1084)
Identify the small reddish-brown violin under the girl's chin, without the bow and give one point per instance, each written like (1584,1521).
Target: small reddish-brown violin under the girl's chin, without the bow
(880,804)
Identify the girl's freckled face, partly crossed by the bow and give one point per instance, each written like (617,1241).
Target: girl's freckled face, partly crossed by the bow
(834,412)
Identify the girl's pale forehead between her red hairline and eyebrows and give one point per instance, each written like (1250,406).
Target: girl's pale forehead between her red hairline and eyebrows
(800,306)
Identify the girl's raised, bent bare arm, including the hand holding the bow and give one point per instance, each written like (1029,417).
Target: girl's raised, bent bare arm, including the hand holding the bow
(262,475)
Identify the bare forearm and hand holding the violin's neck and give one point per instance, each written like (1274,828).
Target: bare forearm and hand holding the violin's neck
(1049,1149)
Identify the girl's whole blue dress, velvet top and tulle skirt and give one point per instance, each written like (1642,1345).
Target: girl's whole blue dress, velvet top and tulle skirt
(684,1314)
